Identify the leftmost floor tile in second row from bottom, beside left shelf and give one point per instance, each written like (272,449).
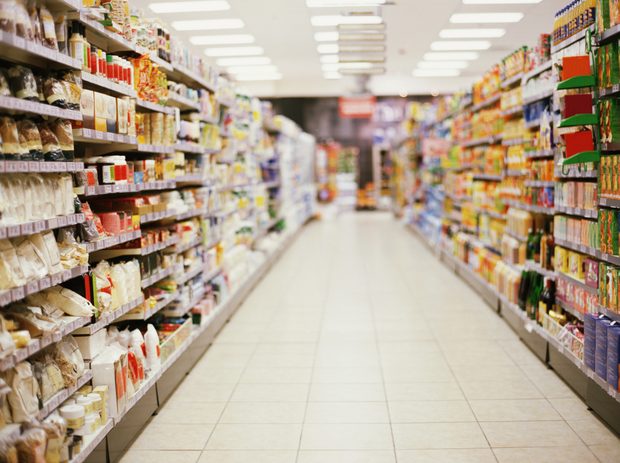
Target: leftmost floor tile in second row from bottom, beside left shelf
(178,437)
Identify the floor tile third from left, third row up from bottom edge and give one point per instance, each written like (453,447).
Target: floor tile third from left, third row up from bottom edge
(347,412)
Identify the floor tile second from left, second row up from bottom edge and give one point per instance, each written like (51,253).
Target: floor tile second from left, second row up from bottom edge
(255,437)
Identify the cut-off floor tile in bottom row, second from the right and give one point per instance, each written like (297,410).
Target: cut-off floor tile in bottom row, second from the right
(569,454)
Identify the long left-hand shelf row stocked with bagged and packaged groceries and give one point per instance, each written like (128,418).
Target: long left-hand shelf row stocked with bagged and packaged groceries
(141,197)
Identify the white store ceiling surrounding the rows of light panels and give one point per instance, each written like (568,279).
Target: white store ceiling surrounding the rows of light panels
(283,29)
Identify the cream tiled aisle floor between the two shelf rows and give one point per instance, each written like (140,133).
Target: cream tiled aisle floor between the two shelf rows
(359,346)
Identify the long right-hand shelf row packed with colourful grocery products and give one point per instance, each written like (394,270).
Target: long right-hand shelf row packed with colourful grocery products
(516,189)
